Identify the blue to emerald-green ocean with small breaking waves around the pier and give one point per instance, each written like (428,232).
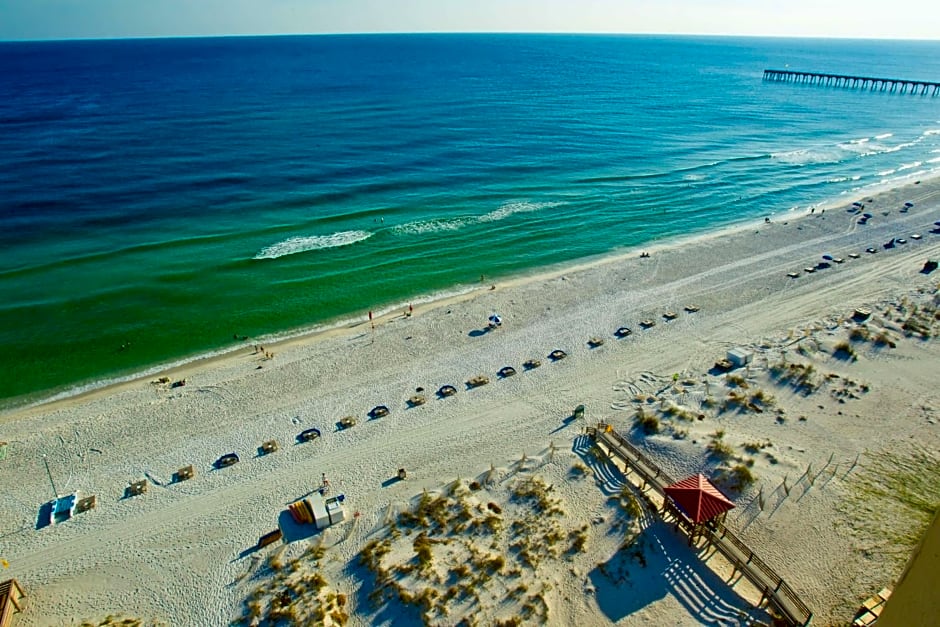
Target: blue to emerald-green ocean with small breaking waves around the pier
(161,197)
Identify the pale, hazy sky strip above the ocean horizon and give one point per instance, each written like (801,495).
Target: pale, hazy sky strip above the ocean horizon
(866,19)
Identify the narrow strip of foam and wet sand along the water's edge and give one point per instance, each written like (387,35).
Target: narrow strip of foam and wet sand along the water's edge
(180,368)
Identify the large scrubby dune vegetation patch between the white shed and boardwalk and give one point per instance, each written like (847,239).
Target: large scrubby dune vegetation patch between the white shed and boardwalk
(468,557)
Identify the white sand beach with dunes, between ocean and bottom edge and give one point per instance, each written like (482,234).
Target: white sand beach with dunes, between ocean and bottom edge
(865,415)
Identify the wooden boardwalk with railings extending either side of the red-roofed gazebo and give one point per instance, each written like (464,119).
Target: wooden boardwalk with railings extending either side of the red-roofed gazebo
(774,589)
